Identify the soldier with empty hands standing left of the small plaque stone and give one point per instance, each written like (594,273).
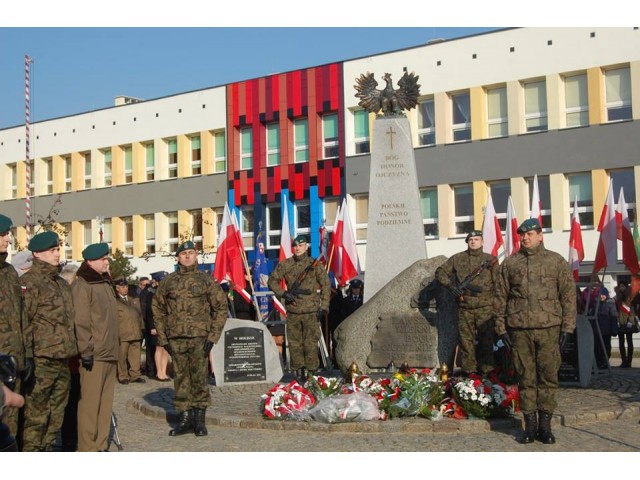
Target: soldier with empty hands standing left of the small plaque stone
(189,311)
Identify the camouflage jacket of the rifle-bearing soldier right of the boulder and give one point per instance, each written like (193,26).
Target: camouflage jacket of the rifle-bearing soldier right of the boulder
(481,290)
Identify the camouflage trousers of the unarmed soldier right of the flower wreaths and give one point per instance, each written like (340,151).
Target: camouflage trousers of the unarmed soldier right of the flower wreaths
(536,359)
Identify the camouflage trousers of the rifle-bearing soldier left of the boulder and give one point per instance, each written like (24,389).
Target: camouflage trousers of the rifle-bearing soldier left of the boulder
(303,333)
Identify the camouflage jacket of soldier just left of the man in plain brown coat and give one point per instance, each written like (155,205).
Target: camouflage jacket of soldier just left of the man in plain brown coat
(49,330)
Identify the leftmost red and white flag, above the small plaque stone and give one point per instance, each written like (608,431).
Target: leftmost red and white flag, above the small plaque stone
(229,264)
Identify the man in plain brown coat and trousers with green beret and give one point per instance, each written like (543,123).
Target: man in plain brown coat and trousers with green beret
(96,320)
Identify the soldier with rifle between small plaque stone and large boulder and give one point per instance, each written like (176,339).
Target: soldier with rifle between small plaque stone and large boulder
(305,308)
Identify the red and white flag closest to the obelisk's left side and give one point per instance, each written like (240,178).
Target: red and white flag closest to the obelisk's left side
(344,263)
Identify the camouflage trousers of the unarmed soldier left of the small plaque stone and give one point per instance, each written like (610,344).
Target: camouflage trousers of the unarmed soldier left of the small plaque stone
(191,373)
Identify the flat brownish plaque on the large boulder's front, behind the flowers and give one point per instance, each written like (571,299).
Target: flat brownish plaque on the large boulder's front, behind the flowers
(404,338)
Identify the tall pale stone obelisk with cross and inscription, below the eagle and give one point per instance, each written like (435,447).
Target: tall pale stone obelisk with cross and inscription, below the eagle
(395,233)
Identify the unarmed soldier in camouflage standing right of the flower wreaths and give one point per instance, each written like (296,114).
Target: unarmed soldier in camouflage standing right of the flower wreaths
(535,308)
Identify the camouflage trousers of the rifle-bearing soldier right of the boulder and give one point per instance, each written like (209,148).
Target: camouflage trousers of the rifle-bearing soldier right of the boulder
(476,329)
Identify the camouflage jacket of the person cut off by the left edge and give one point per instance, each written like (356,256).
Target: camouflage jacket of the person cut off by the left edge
(11,311)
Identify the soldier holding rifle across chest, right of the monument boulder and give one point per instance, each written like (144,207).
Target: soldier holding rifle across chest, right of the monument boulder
(475,310)
